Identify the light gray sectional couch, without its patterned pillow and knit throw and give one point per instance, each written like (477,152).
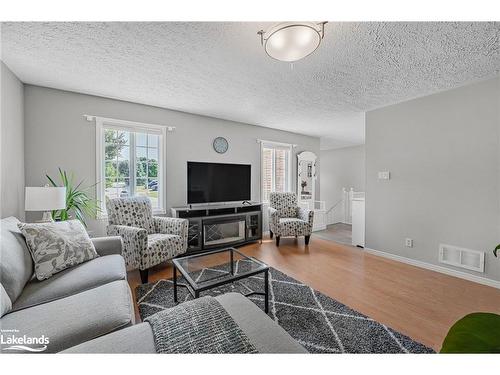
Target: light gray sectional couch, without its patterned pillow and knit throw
(89,309)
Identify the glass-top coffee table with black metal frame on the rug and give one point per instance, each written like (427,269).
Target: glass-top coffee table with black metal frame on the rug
(231,265)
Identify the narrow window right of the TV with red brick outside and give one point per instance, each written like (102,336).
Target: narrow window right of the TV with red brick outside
(276,168)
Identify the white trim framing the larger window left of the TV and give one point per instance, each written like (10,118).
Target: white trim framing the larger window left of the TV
(102,123)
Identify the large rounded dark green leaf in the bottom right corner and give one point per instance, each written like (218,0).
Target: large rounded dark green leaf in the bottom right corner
(474,333)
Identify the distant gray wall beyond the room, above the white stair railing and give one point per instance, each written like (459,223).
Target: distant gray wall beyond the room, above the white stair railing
(343,167)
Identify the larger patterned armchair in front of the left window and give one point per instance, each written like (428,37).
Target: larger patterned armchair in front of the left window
(147,240)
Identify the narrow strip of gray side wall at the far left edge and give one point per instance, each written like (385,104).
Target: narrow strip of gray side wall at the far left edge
(12,145)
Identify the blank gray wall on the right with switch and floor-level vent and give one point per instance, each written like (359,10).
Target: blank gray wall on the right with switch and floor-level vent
(443,154)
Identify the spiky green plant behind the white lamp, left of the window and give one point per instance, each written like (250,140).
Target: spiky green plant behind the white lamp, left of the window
(79,203)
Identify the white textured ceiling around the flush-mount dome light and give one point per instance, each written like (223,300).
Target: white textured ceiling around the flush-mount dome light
(220,69)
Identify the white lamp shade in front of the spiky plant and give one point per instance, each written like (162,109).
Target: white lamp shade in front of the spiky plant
(45,198)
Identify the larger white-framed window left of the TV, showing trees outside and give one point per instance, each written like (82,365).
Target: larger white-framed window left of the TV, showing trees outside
(130,161)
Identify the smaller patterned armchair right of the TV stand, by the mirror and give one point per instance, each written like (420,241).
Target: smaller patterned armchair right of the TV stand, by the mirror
(287,219)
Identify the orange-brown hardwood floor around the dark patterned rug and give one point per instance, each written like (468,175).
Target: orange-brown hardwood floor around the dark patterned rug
(419,303)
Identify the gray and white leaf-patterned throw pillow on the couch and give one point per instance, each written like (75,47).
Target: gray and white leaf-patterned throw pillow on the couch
(56,246)
